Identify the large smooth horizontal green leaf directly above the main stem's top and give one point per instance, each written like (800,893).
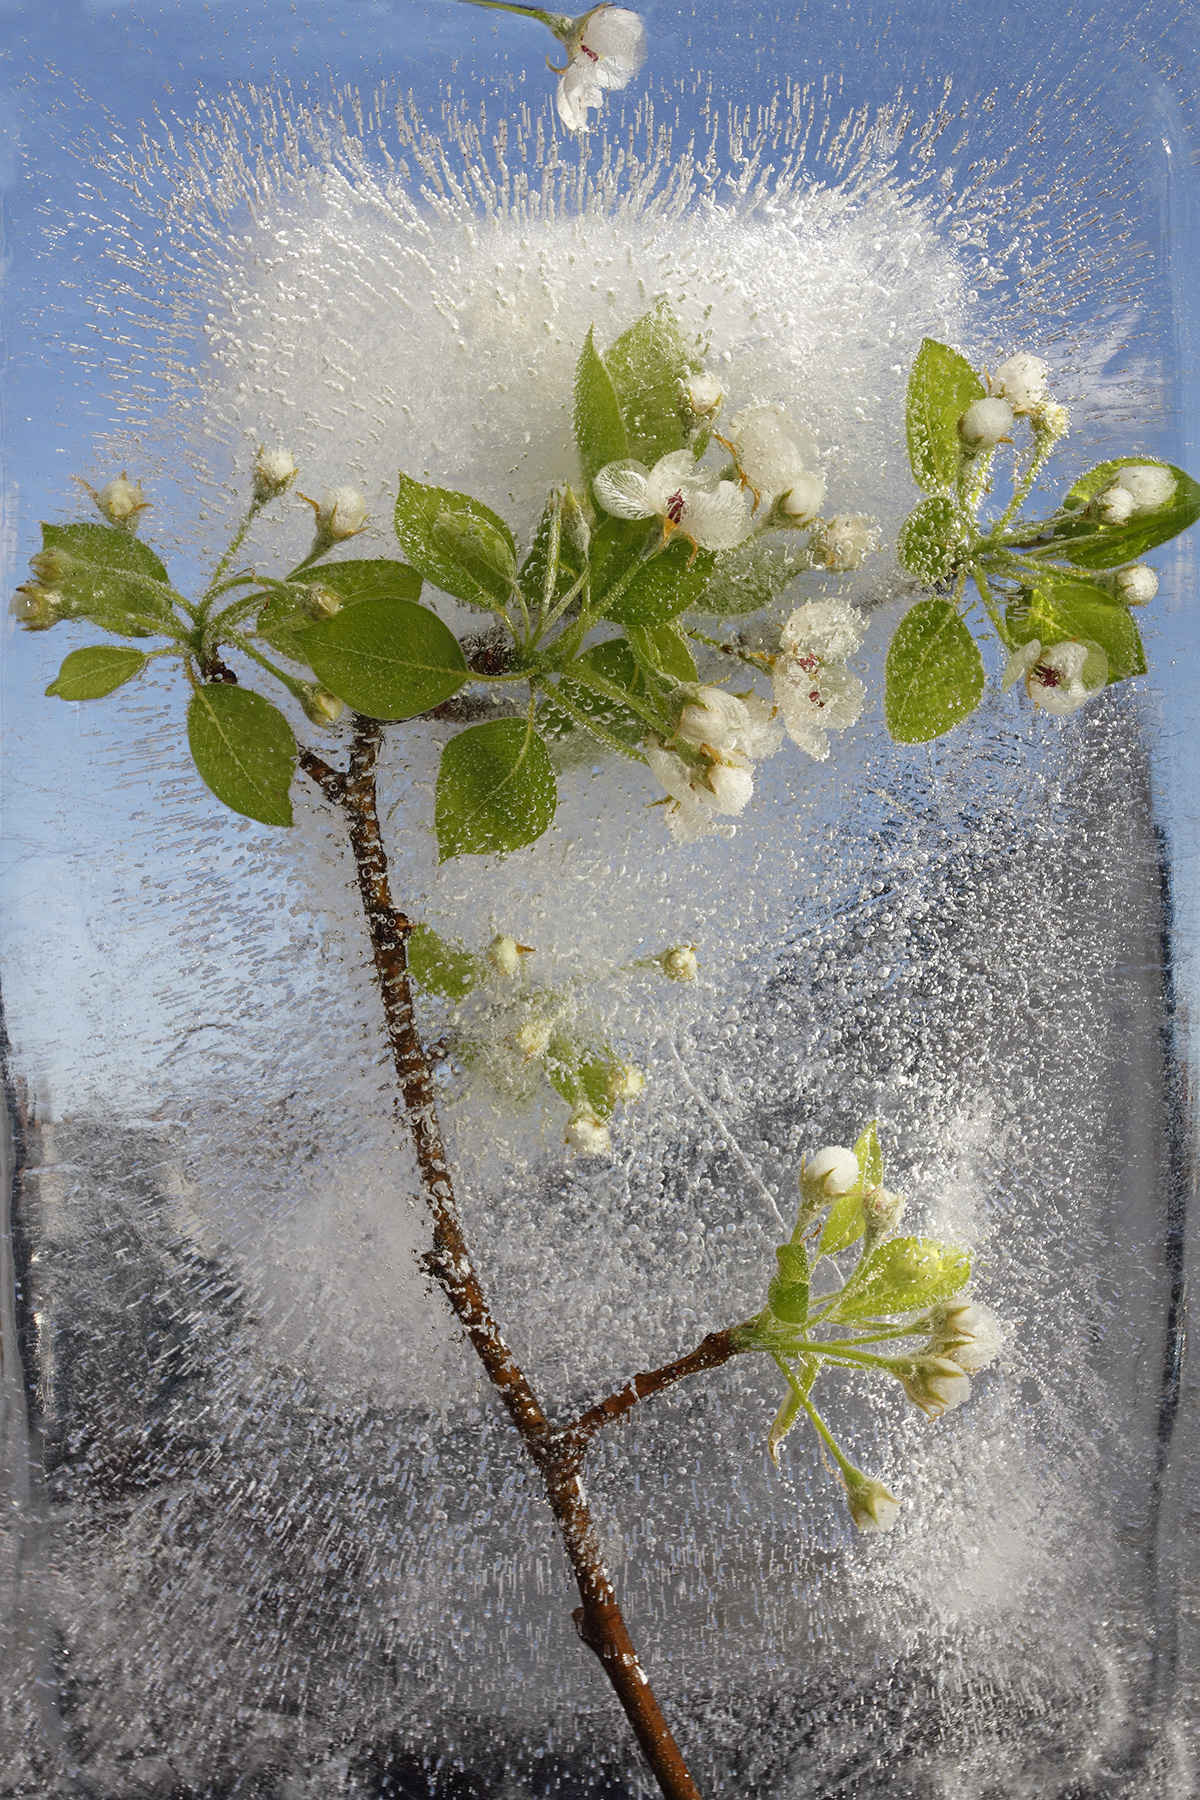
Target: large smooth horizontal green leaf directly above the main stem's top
(388,658)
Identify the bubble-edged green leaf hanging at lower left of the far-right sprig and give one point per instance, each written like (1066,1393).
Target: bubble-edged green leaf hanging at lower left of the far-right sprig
(935,674)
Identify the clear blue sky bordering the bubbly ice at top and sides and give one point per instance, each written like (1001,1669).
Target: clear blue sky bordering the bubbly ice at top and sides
(1104,96)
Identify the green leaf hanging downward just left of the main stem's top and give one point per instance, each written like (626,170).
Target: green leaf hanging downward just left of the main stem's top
(244,750)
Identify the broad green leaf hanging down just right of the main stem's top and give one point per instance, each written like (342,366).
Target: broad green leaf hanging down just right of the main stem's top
(496,791)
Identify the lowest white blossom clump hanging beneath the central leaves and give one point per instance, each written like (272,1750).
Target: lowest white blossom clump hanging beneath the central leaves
(708,766)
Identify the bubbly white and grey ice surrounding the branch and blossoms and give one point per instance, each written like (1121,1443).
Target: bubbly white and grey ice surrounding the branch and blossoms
(280,1542)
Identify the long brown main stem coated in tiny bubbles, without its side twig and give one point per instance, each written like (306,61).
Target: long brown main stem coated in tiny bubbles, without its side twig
(449,1263)
